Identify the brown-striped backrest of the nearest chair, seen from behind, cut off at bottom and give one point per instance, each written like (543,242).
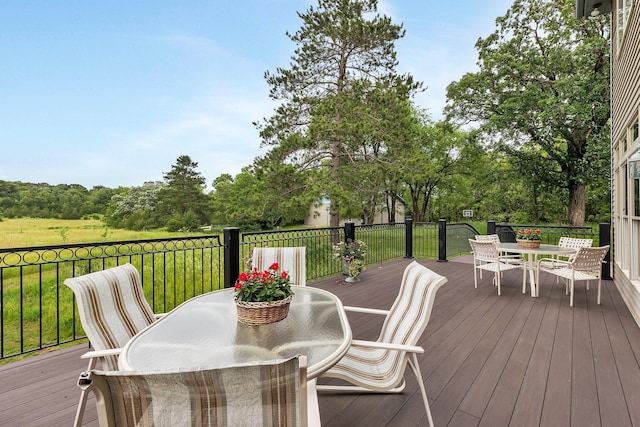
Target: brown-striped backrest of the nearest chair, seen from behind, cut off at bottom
(272,393)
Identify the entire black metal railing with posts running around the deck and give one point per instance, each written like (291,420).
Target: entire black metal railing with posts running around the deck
(37,311)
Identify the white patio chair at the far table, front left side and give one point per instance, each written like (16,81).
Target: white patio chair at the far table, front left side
(486,257)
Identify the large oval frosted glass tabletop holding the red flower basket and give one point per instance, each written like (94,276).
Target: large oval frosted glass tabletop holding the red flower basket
(204,332)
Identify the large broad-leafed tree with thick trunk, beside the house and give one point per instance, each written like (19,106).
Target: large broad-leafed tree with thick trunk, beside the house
(542,93)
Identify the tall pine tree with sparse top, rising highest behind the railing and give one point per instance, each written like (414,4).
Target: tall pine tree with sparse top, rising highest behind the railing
(340,101)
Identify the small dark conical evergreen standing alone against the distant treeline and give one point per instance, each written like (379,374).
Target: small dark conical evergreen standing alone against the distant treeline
(184,191)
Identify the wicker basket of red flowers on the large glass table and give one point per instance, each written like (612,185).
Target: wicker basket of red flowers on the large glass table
(263,296)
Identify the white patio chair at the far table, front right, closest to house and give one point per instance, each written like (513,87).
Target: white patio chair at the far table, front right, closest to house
(586,265)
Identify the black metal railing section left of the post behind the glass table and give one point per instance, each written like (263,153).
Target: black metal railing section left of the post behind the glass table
(38,311)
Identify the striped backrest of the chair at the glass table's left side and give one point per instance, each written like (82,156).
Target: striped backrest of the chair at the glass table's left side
(112,307)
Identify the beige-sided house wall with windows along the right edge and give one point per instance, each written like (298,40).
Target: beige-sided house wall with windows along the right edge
(625,109)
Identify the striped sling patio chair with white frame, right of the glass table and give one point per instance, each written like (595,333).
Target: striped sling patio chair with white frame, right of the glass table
(380,366)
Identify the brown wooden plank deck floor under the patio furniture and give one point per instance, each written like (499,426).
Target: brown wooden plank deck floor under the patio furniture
(489,360)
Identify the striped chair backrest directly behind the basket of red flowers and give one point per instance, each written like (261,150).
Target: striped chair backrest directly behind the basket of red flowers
(290,259)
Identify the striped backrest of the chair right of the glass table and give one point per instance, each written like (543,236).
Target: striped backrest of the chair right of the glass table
(410,313)
